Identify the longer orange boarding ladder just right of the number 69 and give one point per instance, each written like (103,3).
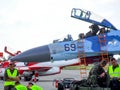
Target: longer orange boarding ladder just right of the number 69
(82,57)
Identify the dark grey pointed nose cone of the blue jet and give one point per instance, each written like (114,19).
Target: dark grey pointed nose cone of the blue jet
(38,54)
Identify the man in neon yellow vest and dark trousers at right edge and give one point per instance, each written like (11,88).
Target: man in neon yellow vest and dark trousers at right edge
(114,72)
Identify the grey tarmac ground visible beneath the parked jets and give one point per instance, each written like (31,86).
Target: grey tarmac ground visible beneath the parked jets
(46,82)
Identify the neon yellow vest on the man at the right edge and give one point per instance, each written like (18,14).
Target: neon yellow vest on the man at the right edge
(115,73)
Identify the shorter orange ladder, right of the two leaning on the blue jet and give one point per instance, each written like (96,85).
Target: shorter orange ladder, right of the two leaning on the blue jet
(103,47)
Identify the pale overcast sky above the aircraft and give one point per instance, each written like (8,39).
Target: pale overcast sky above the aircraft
(25,24)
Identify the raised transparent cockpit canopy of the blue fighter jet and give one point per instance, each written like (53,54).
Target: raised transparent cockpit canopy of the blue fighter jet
(90,17)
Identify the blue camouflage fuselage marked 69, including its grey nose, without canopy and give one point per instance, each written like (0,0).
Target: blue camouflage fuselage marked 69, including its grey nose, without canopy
(65,50)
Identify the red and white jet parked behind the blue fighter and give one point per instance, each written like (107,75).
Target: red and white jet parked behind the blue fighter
(29,69)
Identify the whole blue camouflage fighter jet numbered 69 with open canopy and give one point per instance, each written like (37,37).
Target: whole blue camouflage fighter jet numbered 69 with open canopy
(93,43)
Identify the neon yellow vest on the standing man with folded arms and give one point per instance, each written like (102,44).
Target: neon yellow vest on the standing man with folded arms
(14,74)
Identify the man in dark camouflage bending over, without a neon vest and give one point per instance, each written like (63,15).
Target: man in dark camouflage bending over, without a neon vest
(97,75)
